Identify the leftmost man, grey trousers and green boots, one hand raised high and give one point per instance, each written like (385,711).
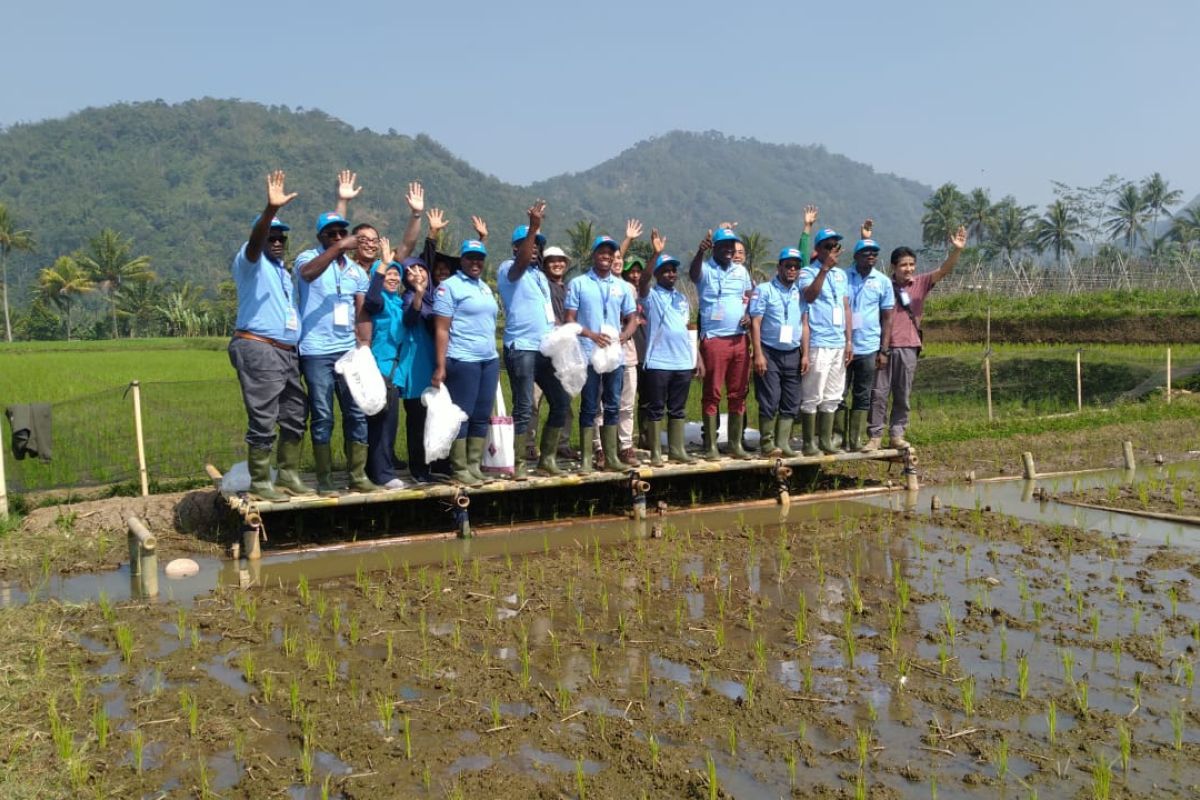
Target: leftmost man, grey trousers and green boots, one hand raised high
(263,351)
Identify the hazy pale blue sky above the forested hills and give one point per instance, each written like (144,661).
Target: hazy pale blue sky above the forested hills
(1006,95)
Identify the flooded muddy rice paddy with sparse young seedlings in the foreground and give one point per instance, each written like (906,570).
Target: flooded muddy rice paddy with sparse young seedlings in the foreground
(1005,645)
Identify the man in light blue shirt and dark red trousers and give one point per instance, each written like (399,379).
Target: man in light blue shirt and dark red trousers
(724,287)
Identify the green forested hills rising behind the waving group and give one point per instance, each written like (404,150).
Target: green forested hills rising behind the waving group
(185,181)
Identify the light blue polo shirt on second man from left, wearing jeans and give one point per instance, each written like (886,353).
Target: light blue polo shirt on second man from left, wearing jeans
(322,332)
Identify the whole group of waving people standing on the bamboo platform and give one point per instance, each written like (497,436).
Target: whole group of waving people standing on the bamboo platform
(431,322)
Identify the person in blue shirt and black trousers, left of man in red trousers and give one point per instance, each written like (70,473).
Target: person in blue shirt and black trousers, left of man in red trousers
(670,362)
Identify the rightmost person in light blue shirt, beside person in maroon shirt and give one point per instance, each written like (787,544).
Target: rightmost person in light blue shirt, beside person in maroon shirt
(872,300)
